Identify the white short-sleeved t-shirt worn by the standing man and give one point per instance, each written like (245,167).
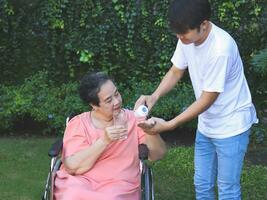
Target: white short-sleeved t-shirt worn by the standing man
(216,66)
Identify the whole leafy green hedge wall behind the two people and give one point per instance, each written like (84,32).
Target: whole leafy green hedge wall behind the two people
(47,45)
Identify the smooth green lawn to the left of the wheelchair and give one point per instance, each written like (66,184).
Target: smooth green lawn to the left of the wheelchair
(24,164)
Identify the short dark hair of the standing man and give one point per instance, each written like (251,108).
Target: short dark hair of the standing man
(188,14)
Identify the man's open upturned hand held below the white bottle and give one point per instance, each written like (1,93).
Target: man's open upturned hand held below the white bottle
(154,125)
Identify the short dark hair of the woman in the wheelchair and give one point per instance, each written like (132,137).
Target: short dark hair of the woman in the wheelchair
(90,87)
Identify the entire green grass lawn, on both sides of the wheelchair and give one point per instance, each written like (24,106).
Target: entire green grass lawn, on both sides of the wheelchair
(24,165)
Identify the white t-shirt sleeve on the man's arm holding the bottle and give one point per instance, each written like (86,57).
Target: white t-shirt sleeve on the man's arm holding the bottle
(178,59)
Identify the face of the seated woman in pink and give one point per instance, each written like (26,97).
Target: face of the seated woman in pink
(110,101)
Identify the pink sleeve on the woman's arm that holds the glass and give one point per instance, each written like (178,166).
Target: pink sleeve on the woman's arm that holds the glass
(75,138)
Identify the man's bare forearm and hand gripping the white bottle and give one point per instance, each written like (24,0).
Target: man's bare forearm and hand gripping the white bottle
(167,83)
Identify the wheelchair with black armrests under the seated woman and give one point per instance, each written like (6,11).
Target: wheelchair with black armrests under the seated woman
(147,186)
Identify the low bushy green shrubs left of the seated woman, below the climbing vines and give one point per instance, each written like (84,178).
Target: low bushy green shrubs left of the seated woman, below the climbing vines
(39,99)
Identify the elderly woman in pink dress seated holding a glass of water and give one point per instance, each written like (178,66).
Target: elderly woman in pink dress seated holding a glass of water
(100,158)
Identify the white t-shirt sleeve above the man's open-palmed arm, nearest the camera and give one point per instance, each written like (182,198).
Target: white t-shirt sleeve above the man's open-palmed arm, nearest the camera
(215,74)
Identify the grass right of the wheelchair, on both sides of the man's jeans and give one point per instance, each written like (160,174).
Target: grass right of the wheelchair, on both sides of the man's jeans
(174,177)
